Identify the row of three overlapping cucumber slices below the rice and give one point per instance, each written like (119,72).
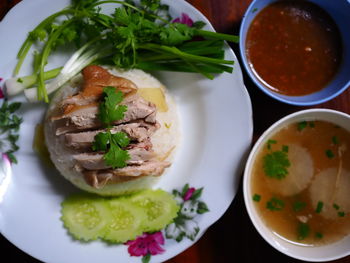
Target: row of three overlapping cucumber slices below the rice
(117,220)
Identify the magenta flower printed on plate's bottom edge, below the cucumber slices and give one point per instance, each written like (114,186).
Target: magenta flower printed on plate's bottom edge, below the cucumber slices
(146,245)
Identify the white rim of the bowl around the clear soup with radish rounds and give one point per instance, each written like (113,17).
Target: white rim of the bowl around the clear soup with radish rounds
(308,253)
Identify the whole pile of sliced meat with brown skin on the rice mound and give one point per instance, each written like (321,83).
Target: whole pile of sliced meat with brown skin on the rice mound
(75,122)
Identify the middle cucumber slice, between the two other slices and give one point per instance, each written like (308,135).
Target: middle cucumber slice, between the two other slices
(126,221)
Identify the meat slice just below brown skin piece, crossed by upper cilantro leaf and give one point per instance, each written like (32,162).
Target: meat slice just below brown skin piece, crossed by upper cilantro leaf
(85,117)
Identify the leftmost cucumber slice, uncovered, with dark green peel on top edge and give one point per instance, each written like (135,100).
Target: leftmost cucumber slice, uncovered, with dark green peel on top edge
(85,216)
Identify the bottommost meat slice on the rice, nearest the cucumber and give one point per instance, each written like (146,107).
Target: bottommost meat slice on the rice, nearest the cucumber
(99,178)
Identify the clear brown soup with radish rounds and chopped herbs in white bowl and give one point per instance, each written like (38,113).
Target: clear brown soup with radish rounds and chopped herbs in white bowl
(301,182)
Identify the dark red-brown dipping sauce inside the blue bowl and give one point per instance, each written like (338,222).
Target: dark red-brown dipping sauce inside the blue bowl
(294,47)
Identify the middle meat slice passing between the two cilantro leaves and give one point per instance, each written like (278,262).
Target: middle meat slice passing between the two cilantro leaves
(136,131)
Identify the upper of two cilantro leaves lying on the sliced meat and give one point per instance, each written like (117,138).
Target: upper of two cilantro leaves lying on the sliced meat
(109,109)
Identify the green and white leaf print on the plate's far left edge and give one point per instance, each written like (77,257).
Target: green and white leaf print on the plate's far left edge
(9,127)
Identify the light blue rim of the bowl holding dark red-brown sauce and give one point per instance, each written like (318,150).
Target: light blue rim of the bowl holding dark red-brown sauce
(262,87)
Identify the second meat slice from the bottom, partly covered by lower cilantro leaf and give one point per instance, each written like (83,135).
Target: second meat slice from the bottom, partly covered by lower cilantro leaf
(95,161)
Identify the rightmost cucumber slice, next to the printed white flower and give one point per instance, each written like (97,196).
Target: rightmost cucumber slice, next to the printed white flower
(159,206)
